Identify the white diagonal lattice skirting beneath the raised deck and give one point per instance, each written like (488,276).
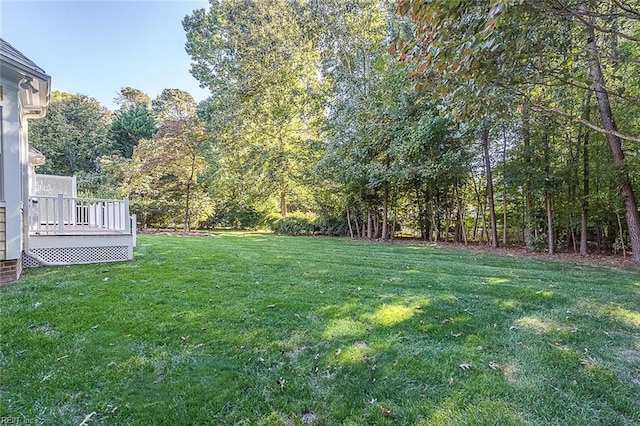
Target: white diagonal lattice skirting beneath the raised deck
(75,255)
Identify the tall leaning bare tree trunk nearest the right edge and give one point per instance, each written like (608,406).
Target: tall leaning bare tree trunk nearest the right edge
(615,145)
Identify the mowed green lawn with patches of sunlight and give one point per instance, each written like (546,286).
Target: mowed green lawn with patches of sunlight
(250,328)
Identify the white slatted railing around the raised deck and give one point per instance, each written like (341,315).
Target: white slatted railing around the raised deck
(74,215)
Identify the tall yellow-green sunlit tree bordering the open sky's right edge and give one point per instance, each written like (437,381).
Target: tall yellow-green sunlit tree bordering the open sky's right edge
(257,54)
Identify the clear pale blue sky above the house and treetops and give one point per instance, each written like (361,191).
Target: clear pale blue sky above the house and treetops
(97,47)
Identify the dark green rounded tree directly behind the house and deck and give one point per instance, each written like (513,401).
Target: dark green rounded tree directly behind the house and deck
(73,134)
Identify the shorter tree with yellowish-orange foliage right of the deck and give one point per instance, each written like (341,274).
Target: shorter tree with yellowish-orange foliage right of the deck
(163,178)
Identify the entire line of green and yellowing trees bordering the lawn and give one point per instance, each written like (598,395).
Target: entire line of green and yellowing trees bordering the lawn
(496,122)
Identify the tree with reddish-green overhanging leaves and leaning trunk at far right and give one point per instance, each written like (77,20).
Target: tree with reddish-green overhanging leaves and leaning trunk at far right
(491,51)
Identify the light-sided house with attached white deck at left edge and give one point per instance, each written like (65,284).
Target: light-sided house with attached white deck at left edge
(42,222)
